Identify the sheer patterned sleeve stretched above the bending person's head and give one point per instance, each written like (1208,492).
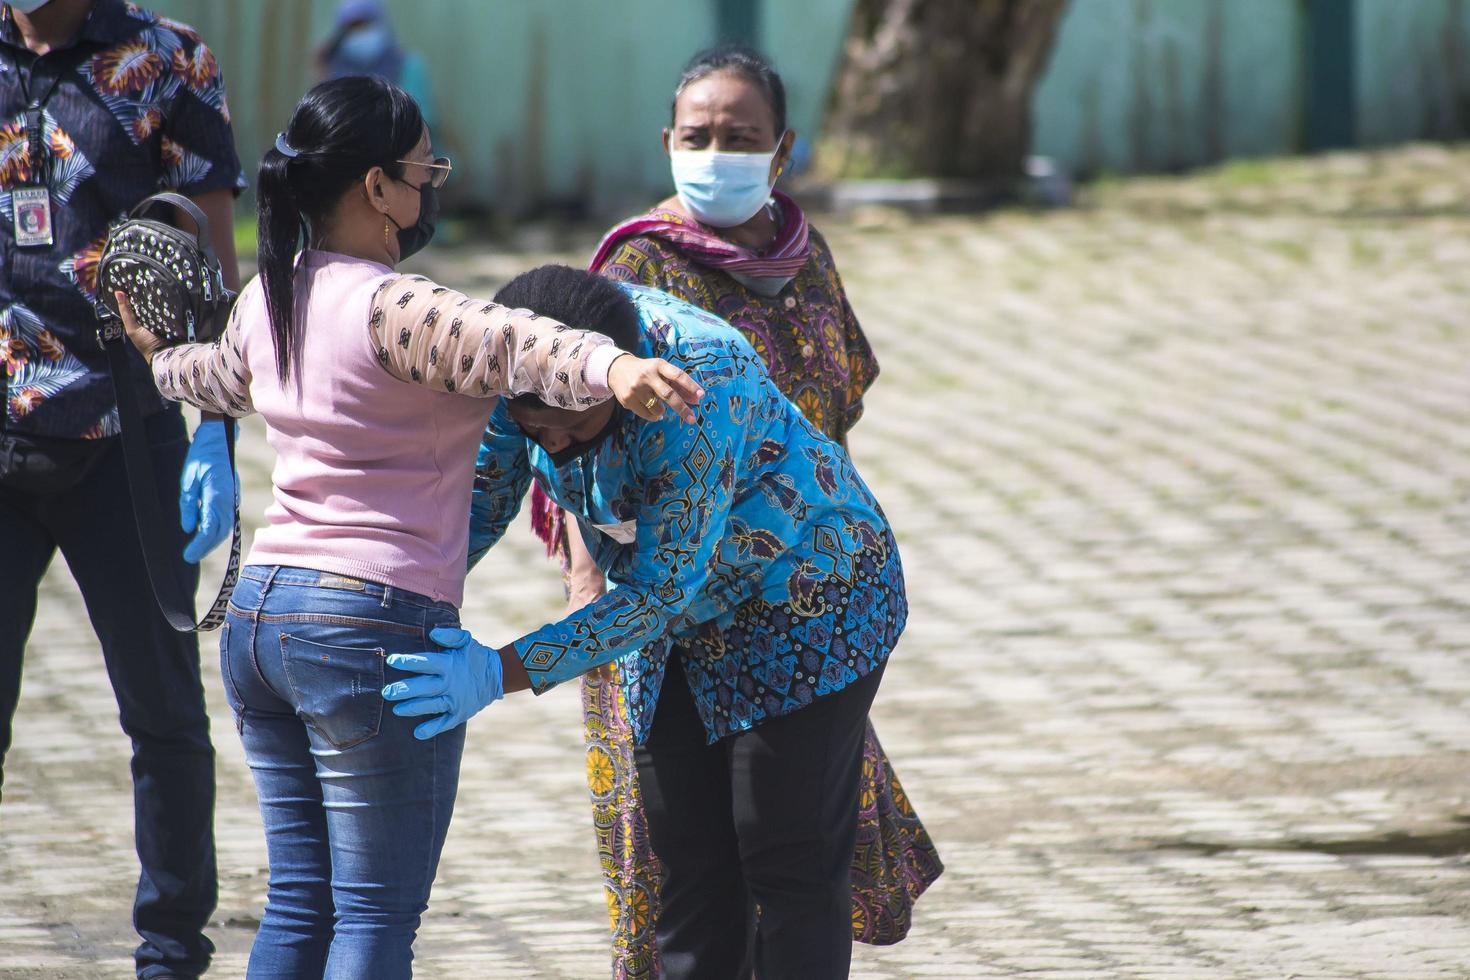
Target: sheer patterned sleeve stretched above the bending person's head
(427,334)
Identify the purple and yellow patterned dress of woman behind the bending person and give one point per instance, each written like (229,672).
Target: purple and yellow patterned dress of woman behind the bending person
(818,355)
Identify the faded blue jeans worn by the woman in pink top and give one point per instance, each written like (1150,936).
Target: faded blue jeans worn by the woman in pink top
(355,807)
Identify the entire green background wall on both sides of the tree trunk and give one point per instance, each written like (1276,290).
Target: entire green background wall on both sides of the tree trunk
(562,101)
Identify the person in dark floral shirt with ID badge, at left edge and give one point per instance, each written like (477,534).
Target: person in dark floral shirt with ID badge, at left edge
(104,104)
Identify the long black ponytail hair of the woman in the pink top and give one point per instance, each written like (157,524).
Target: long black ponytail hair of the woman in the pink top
(339,131)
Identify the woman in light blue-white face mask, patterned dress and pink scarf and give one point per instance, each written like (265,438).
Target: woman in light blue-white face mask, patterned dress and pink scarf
(733,245)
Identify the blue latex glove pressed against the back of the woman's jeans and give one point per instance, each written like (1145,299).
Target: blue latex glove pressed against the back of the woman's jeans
(455,685)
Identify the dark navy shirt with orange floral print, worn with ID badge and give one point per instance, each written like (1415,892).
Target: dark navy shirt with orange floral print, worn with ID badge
(137,107)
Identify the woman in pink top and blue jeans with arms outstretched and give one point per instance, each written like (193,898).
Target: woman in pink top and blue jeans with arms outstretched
(376,390)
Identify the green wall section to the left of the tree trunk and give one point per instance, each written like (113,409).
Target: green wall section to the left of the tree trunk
(537,101)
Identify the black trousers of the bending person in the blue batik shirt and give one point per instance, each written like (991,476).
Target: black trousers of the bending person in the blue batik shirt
(761,821)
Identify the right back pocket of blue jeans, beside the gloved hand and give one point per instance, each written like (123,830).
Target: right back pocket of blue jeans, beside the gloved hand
(337,690)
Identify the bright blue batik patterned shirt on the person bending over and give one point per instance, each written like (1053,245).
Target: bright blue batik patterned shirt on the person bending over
(752,547)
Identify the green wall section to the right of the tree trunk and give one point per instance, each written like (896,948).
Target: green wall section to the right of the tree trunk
(1165,84)
